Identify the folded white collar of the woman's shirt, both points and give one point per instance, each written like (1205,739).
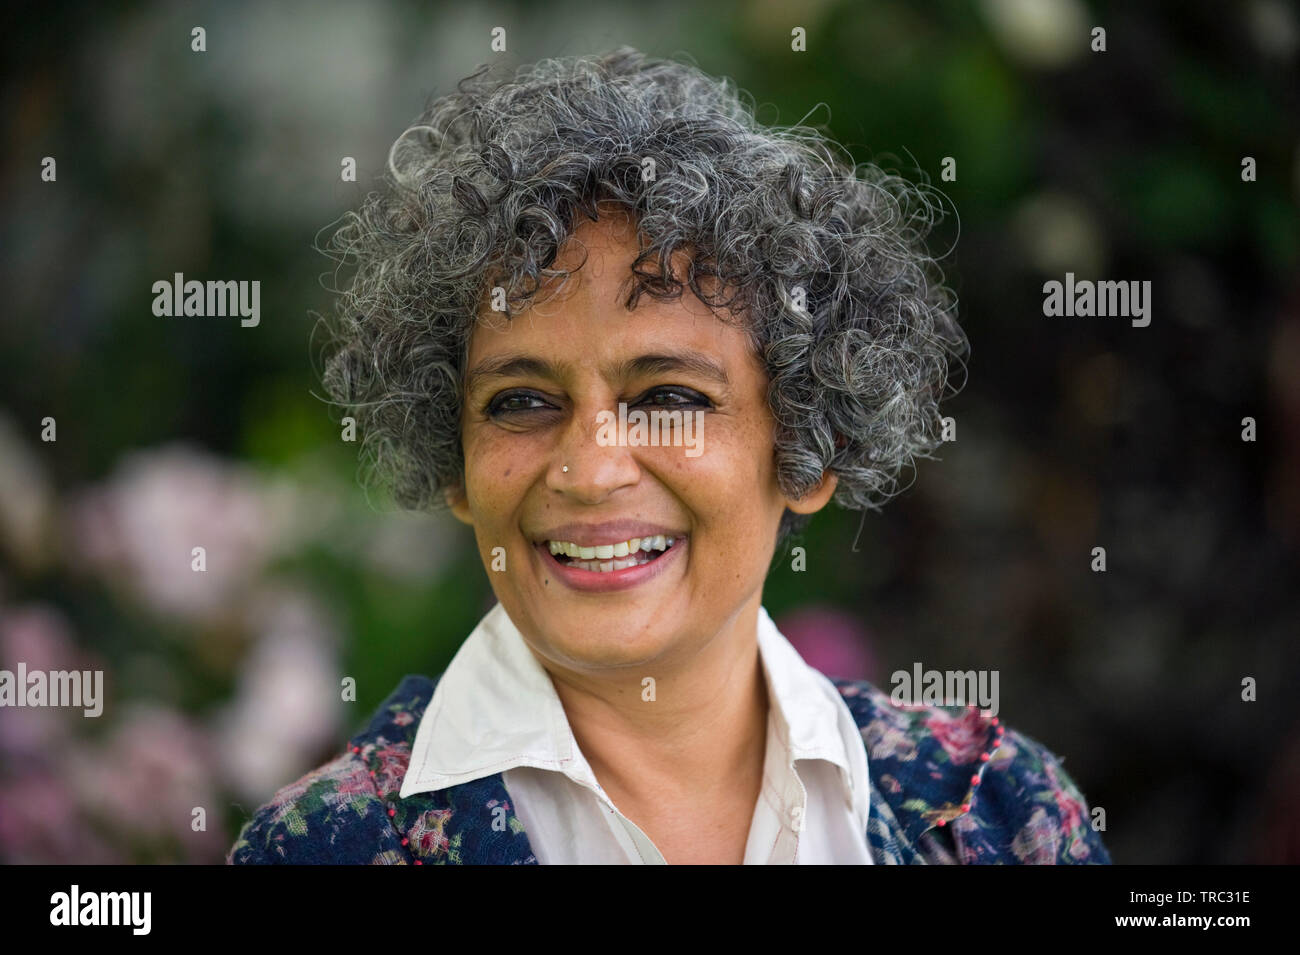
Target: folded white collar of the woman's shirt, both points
(496,709)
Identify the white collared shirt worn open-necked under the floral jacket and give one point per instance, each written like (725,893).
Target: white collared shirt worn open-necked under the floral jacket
(496,711)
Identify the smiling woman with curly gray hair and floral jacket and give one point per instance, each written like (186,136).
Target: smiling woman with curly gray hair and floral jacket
(635,341)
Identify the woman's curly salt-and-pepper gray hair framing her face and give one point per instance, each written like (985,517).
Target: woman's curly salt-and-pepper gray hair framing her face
(824,259)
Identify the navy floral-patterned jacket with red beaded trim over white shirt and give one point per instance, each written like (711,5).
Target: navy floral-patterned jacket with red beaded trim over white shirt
(948,787)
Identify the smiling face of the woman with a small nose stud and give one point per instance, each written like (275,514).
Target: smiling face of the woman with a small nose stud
(714,493)
